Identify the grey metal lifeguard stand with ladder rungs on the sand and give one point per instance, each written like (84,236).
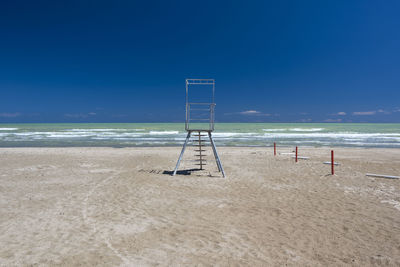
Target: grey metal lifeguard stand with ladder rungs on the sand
(200,107)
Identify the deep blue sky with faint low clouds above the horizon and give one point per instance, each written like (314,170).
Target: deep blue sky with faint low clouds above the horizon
(126,61)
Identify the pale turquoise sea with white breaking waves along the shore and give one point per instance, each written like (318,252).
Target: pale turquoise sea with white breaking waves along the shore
(173,134)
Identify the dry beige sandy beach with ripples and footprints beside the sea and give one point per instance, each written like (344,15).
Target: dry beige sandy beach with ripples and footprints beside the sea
(116,206)
